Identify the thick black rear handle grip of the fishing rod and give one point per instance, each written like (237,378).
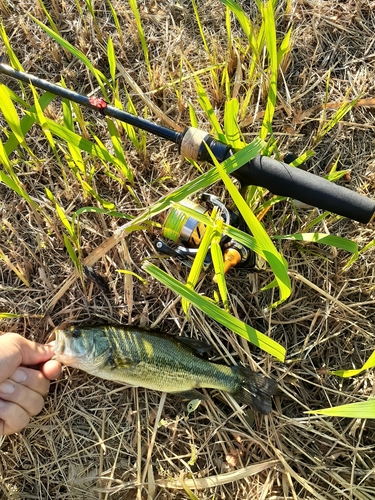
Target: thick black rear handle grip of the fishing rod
(284,180)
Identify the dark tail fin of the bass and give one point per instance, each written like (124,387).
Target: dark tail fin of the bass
(255,390)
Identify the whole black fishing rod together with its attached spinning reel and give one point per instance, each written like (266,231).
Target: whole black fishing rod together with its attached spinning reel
(278,177)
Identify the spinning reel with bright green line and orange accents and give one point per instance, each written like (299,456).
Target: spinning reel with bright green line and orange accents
(186,233)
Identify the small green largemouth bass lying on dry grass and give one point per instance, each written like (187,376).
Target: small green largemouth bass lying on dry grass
(144,358)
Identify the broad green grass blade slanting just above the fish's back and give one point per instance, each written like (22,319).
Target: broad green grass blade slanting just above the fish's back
(213,311)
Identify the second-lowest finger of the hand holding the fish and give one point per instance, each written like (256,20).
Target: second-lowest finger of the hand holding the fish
(32,402)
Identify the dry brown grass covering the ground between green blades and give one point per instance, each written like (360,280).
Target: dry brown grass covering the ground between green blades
(97,440)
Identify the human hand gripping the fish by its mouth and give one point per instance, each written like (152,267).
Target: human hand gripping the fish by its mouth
(22,388)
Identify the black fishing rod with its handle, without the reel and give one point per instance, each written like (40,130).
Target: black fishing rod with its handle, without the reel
(279,178)
